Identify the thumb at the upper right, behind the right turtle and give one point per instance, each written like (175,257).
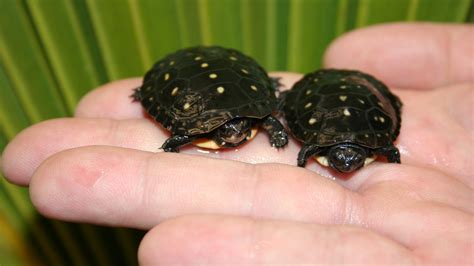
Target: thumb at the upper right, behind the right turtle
(415,55)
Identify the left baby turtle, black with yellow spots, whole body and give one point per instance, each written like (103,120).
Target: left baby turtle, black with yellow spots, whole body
(210,96)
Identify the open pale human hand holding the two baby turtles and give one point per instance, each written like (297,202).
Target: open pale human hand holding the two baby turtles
(222,207)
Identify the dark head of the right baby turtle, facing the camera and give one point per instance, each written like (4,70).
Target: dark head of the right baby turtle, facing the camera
(346,158)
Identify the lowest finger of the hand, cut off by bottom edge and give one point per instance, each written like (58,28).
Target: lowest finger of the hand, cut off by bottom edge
(219,240)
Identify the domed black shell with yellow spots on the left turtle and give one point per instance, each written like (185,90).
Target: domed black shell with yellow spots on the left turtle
(195,90)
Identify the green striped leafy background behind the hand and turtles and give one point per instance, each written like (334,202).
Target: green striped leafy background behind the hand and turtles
(53,51)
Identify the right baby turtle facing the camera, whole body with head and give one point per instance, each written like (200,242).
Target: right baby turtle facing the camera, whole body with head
(344,118)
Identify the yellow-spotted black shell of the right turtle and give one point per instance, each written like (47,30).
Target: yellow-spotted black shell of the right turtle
(330,106)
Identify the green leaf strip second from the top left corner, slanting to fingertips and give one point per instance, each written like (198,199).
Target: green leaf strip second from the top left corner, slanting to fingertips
(69,45)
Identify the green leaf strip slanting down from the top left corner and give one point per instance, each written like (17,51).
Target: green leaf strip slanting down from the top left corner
(25,65)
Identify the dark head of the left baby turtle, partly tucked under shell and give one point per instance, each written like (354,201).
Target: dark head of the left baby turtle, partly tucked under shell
(233,133)
